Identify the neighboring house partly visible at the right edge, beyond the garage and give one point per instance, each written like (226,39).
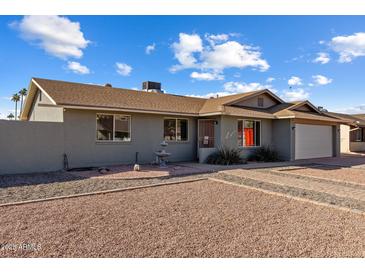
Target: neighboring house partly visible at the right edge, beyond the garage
(352,132)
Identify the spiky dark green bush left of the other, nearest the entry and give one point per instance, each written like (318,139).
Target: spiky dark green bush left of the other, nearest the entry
(225,156)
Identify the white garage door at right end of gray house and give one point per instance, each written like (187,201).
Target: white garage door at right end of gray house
(313,141)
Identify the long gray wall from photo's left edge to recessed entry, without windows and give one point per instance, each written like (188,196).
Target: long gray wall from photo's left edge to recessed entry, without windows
(39,146)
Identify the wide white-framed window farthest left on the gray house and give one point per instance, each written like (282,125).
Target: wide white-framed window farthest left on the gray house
(113,127)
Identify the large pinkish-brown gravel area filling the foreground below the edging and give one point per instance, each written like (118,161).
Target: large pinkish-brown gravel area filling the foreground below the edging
(198,219)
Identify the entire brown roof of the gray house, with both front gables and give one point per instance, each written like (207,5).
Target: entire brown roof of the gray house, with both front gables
(86,96)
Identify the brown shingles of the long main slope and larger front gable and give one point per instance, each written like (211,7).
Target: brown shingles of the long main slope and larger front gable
(86,95)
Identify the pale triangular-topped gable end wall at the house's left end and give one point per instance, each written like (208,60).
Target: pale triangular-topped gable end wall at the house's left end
(41,112)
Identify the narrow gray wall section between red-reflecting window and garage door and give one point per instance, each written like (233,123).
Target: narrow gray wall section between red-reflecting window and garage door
(283,138)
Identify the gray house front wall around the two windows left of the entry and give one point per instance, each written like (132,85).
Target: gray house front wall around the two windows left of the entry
(82,148)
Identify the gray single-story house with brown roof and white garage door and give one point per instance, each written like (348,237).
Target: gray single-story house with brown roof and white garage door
(106,125)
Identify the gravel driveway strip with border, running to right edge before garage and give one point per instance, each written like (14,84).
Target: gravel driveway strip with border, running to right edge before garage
(323,190)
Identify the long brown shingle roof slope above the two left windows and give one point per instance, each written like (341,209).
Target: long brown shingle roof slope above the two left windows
(75,94)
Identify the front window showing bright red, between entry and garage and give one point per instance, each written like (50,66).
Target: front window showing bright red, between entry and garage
(249,133)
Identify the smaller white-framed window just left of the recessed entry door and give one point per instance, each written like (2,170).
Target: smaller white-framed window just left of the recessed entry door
(176,129)
